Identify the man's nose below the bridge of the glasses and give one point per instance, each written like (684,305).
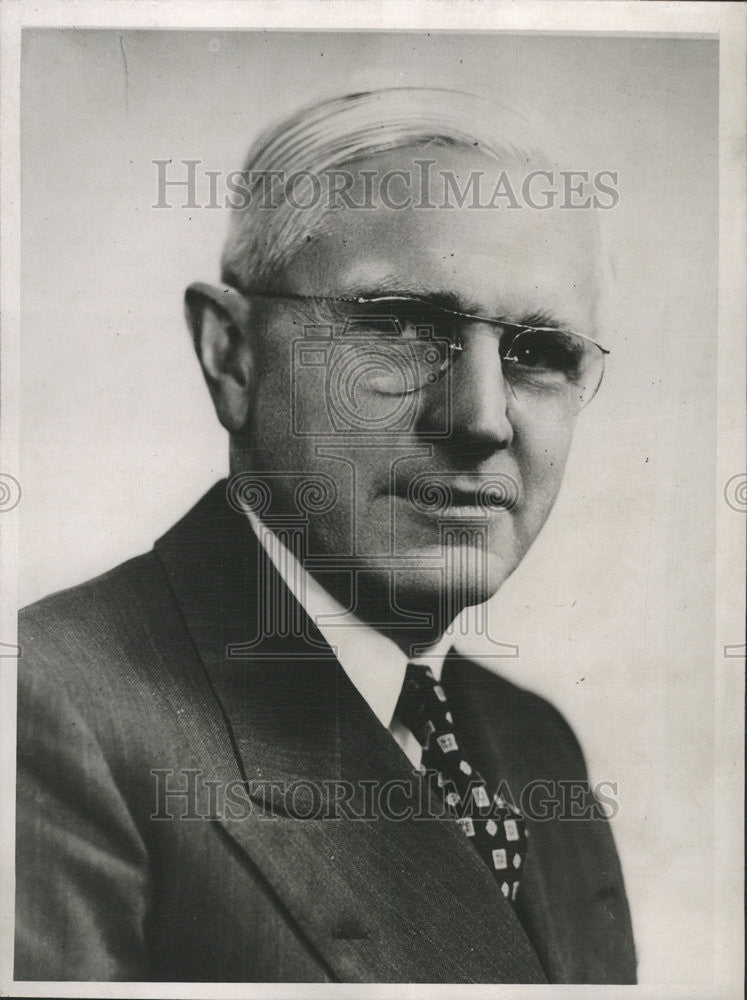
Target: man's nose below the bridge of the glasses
(475,416)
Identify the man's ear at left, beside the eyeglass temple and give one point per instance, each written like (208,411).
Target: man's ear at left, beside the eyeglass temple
(218,317)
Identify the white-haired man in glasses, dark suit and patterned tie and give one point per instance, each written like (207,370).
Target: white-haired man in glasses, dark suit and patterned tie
(251,754)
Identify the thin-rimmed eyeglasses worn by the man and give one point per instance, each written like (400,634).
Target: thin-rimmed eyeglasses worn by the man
(399,344)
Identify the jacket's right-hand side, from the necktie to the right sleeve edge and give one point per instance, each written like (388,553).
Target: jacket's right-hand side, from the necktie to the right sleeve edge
(571,900)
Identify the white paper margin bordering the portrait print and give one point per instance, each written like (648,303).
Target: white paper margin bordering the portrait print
(727,21)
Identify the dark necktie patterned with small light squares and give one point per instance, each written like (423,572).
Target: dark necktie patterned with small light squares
(495,827)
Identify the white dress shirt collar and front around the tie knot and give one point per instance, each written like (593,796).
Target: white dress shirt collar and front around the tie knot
(374,663)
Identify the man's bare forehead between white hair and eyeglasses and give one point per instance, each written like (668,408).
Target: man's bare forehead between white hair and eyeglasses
(500,260)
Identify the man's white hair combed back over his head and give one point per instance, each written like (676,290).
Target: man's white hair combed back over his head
(328,136)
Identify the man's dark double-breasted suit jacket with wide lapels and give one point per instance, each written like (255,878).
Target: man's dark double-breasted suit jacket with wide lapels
(126,692)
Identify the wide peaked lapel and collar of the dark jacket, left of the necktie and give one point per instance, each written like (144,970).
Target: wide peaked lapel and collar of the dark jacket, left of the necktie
(379,898)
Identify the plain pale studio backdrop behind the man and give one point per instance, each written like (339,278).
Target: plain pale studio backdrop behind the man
(613,609)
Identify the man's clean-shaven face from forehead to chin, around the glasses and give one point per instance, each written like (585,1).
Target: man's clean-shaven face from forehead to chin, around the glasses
(465,429)
